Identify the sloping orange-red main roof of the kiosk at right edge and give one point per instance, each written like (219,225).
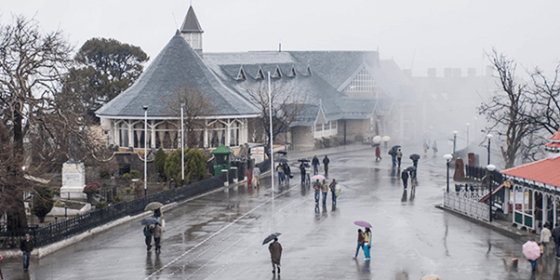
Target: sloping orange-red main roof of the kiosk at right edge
(543,171)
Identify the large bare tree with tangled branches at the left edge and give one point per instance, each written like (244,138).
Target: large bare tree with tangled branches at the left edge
(32,67)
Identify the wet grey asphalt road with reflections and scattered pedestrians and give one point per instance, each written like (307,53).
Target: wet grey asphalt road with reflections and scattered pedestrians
(219,236)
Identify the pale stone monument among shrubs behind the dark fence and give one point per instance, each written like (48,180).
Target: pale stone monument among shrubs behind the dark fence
(73,176)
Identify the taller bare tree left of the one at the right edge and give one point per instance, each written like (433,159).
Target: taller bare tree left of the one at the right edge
(509,111)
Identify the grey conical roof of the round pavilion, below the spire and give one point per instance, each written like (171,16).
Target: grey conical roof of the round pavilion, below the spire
(176,66)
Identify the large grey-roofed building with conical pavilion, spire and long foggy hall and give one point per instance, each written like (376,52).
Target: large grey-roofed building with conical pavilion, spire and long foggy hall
(348,95)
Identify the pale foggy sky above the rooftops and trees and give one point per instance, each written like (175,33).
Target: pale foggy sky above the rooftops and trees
(416,34)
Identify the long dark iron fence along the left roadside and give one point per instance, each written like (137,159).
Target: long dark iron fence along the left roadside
(62,230)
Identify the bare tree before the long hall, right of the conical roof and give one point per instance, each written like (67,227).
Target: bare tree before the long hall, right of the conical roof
(287,105)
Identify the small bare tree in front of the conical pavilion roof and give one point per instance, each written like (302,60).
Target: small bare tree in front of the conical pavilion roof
(196,105)
